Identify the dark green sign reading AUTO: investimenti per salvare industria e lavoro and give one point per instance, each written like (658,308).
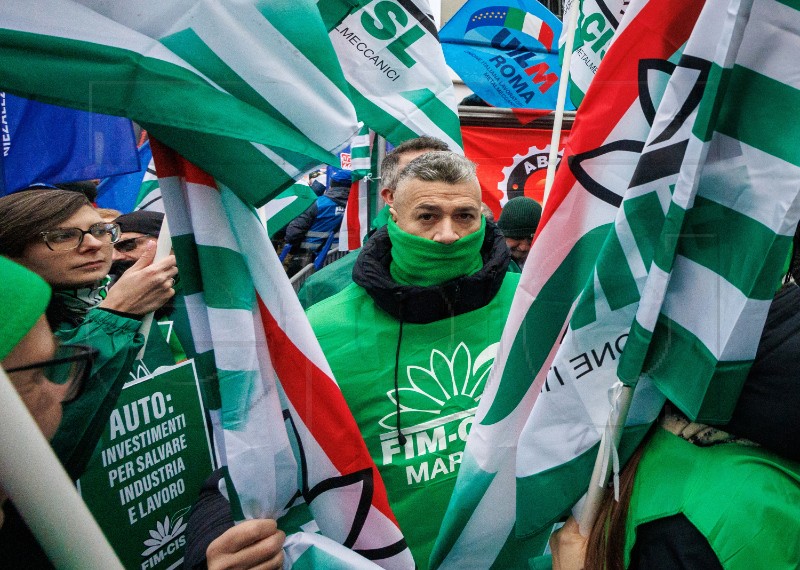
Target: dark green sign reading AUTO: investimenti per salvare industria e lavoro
(148,467)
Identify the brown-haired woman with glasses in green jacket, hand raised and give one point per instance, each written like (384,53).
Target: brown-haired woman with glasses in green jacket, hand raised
(60,236)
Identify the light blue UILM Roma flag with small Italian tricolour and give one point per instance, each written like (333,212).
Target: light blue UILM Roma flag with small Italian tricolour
(507,53)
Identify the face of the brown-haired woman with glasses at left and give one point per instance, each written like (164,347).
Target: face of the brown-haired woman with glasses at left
(79,267)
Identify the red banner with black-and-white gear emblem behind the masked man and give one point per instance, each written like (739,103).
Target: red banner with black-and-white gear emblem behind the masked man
(511,161)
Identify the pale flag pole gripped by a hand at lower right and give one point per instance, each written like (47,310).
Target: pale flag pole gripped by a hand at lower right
(606,460)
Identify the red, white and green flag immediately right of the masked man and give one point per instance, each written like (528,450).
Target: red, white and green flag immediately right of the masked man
(605,142)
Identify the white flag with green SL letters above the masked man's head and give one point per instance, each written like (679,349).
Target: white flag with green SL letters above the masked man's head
(392,60)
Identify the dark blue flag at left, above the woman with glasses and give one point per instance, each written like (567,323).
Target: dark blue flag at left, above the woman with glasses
(49,144)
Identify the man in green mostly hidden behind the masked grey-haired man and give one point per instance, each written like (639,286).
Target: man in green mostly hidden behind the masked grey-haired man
(334,277)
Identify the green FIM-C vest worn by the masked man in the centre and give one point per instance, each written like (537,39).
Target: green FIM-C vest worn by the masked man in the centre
(442,374)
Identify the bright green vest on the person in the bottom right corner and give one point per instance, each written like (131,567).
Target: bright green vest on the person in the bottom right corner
(744,500)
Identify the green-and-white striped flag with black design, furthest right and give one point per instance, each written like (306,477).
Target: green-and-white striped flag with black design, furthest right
(696,254)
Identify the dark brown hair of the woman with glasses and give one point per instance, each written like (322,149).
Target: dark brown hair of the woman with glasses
(24,215)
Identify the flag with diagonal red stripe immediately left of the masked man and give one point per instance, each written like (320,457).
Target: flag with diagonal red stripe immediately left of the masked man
(288,440)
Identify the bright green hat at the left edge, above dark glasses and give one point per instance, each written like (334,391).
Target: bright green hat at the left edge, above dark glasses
(24,297)
